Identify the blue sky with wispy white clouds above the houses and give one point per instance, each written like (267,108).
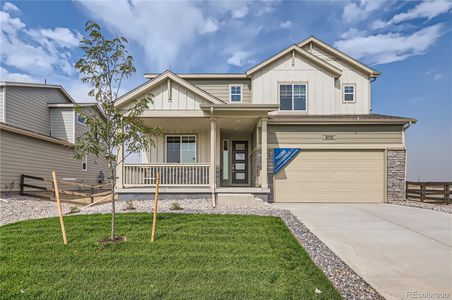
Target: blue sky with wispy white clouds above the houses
(409,42)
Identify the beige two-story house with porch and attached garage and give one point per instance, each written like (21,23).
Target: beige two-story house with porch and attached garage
(306,109)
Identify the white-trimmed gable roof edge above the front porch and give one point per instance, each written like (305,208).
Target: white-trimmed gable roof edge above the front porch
(161,78)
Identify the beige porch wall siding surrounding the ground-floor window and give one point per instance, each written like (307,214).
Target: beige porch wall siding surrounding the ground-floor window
(157,154)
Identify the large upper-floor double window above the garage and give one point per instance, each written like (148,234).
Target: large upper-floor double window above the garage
(293,97)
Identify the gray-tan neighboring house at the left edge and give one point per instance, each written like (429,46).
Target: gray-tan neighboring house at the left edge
(38,127)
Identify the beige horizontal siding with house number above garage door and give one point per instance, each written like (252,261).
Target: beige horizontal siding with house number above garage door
(342,134)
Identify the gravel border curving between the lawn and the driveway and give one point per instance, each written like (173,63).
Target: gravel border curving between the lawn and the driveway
(349,284)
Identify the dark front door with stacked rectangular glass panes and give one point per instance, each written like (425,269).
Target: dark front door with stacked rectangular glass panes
(239,163)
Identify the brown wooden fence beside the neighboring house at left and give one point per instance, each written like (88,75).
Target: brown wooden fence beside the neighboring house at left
(72,192)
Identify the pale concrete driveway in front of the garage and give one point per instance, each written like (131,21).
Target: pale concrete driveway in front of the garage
(403,252)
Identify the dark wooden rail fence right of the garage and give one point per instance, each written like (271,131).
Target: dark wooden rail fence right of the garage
(434,192)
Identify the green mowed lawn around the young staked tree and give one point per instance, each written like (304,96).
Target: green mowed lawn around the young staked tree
(193,257)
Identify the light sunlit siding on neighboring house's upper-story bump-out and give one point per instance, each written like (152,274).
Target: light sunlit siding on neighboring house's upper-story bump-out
(62,123)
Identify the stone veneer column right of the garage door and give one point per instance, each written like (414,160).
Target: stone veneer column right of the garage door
(396,175)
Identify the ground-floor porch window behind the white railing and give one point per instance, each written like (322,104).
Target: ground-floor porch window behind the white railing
(181,149)
